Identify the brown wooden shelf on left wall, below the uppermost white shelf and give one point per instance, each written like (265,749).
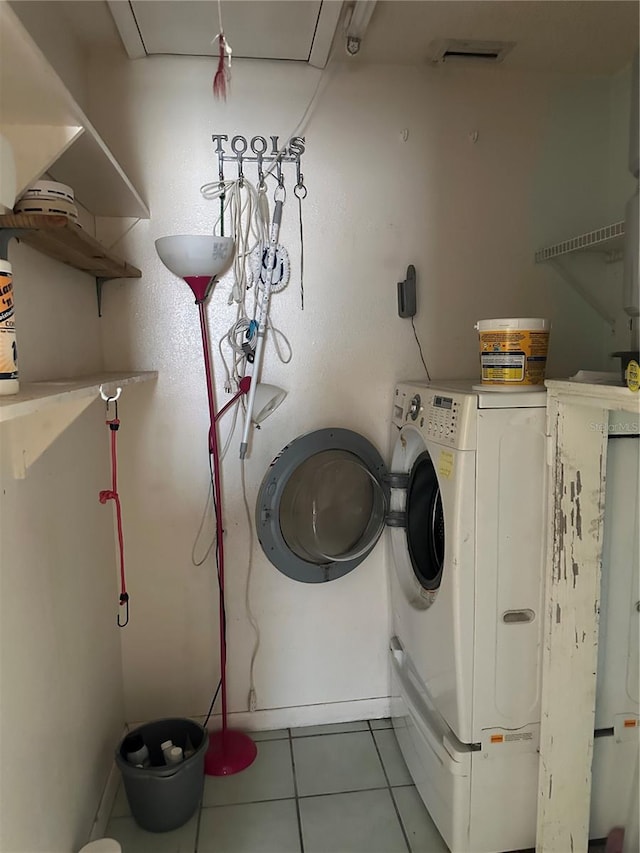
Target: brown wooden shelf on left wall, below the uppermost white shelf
(63,240)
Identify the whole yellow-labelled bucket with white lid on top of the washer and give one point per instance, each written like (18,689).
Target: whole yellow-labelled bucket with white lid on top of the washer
(513,352)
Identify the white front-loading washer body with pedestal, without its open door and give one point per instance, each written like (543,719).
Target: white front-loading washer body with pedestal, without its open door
(466,591)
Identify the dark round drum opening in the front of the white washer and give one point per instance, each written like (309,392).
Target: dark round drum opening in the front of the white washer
(425,523)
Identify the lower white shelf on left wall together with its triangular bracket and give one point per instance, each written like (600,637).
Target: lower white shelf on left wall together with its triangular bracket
(31,420)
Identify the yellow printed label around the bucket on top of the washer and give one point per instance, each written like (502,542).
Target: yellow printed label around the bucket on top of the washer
(513,355)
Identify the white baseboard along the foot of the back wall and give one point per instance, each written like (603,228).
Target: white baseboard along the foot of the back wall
(306,715)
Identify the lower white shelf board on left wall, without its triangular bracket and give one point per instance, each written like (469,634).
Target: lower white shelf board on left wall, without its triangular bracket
(35,397)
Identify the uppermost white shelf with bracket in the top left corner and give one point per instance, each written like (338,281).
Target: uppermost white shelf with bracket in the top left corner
(35,102)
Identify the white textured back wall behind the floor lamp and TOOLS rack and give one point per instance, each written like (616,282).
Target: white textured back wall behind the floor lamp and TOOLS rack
(467,215)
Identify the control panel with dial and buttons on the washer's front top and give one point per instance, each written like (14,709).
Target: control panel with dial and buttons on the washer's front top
(441,415)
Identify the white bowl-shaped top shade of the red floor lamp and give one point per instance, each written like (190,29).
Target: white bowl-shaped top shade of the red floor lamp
(196,255)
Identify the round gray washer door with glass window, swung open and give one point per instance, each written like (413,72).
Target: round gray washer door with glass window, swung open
(322,505)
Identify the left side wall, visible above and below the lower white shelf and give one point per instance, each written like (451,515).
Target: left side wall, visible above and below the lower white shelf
(60,668)
